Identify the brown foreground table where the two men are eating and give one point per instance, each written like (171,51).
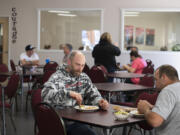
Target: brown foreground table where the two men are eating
(104,119)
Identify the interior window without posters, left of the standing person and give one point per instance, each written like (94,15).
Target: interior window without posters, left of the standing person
(77,27)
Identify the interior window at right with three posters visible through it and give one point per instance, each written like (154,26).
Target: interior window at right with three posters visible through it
(151,30)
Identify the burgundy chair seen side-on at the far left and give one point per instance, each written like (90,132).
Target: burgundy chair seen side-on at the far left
(10,93)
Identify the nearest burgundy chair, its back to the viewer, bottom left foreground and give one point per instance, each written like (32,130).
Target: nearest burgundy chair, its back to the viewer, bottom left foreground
(48,121)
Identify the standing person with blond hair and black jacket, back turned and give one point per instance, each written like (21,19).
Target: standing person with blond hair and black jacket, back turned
(104,53)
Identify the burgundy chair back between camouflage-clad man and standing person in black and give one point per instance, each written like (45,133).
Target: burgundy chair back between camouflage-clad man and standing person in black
(98,74)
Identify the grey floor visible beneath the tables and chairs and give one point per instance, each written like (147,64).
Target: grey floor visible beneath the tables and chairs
(25,124)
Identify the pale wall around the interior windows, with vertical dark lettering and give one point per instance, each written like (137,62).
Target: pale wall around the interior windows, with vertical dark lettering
(27,24)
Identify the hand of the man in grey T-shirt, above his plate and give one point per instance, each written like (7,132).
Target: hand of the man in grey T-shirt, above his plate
(144,106)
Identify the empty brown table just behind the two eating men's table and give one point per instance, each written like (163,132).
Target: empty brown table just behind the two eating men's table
(109,88)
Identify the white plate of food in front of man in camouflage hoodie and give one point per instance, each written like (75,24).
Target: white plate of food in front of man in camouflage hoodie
(87,108)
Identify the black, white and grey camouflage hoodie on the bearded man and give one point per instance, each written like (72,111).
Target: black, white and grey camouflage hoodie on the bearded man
(56,89)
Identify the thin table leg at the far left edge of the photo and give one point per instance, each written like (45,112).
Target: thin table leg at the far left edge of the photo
(3,114)
